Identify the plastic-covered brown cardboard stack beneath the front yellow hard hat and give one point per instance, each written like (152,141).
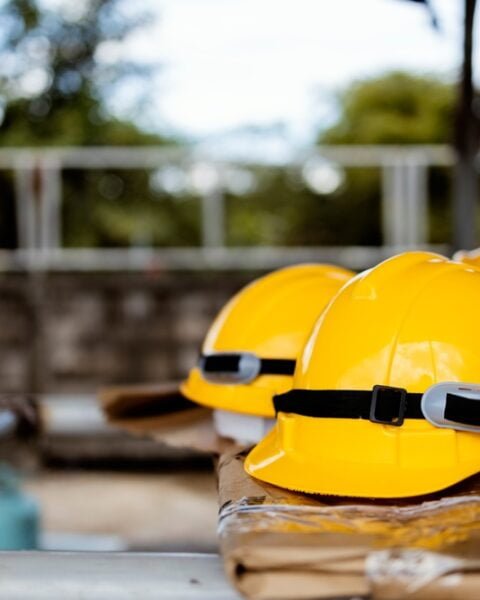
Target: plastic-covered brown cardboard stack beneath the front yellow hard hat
(282,545)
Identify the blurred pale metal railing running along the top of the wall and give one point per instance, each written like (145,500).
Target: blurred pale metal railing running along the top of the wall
(38,185)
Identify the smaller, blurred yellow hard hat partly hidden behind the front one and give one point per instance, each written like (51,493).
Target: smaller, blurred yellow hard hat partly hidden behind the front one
(250,350)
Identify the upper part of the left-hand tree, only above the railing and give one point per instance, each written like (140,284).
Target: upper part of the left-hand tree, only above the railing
(53,87)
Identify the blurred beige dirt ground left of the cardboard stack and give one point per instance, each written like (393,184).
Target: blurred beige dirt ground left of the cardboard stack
(174,511)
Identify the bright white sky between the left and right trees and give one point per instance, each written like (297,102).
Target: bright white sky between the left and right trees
(230,64)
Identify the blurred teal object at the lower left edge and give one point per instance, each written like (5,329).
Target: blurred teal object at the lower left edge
(19,514)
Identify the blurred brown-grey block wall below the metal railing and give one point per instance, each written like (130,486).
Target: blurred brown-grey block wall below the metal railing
(73,333)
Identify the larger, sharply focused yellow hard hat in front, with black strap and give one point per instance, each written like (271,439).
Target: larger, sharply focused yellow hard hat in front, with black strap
(383,405)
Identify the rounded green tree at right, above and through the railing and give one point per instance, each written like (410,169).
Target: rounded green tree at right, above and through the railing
(394,108)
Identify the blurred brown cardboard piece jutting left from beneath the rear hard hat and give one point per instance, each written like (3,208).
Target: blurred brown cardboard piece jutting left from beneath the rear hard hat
(161,412)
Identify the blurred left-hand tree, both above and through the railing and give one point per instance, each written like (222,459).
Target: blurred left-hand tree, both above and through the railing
(54,90)
